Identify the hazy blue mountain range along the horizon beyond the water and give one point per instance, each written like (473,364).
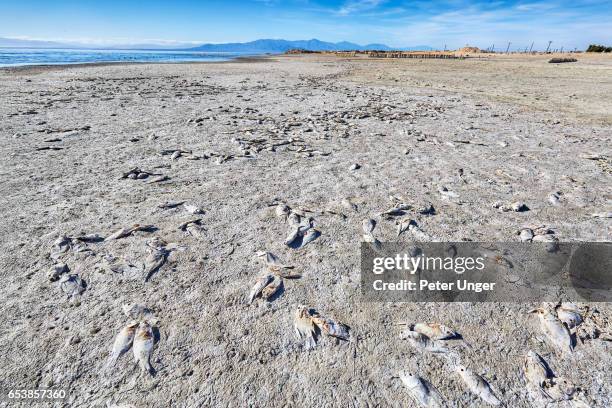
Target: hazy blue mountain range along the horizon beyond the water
(264,46)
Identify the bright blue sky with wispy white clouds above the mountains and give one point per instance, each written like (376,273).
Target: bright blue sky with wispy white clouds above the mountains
(393,22)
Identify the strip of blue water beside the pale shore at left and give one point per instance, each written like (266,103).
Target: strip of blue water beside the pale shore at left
(21,56)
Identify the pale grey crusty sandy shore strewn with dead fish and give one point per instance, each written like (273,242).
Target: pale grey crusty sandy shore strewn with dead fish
(286,129)
